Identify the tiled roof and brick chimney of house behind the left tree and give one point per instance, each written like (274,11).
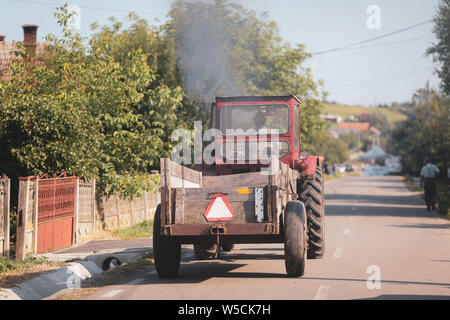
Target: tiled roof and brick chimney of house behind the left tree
(7,48)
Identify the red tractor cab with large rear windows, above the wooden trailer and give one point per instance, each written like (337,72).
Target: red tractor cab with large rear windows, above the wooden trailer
(254,128)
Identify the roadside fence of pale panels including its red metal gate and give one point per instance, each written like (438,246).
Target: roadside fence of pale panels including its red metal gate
(57,212)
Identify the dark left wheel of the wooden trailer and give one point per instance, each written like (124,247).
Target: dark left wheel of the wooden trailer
(166,250)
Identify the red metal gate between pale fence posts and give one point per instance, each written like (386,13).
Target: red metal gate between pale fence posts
(56,213)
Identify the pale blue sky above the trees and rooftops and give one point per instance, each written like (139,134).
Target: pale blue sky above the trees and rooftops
(376,72)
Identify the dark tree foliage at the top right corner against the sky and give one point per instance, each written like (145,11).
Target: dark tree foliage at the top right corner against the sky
(441,50)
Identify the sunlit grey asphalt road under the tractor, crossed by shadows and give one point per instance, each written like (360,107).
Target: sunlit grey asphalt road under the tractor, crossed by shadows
(375,230)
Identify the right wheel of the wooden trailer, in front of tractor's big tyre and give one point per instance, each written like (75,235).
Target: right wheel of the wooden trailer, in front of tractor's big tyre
(295,238)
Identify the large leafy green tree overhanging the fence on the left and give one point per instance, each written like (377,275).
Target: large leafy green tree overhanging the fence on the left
(78,110)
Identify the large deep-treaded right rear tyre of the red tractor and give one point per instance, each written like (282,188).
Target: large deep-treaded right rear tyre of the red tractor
(311,193)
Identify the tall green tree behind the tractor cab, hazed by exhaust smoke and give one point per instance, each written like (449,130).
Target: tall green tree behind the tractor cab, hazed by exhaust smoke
(225,49)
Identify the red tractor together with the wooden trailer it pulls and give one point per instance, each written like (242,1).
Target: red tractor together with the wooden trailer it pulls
(240,198)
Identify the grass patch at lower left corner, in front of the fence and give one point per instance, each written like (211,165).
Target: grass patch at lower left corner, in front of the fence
(13,271)
